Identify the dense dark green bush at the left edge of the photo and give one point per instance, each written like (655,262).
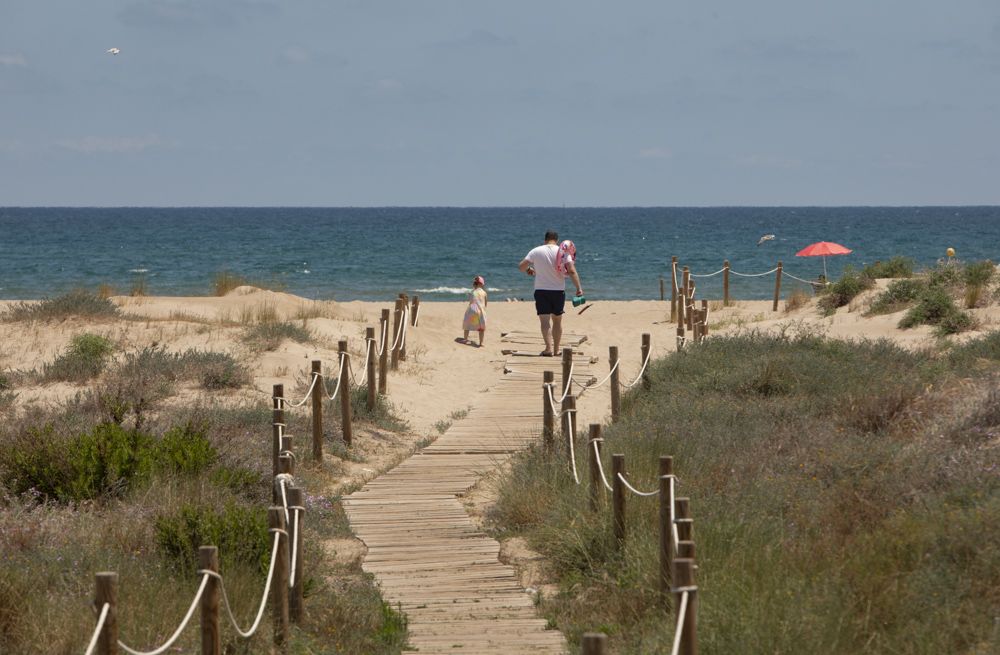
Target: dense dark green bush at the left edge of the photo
(107,460)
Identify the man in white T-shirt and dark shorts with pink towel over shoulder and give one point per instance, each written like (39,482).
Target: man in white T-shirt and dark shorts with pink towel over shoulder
(549,264)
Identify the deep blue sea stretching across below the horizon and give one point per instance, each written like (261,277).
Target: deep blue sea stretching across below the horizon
(375,253)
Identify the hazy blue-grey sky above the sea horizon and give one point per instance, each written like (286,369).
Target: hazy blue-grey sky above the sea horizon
(457,102)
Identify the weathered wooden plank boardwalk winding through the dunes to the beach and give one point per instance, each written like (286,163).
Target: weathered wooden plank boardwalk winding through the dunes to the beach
(425,551)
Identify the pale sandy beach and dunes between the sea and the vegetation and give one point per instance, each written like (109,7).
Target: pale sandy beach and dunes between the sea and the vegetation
(441,375)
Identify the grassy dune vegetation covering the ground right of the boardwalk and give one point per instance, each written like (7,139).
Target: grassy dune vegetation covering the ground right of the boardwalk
(845,496)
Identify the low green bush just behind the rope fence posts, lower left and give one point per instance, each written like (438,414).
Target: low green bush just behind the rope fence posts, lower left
(240,533)
